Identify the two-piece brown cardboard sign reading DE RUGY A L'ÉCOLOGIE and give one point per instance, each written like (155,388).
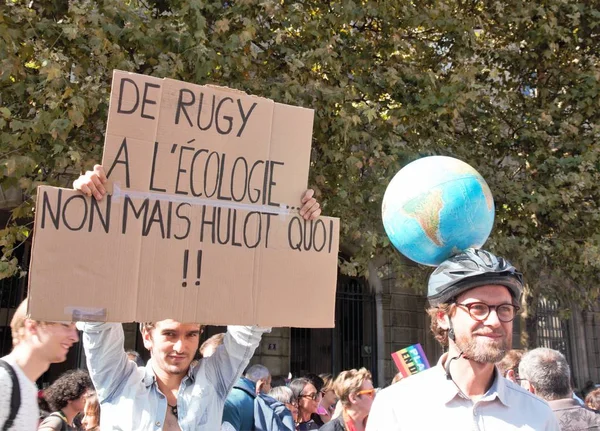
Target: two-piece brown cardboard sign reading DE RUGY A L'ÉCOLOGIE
(202,224)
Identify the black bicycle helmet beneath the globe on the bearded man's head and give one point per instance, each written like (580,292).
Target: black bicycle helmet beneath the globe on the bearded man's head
(469,269)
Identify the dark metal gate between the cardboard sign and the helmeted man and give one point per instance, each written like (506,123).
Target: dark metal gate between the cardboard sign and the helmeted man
(351,344)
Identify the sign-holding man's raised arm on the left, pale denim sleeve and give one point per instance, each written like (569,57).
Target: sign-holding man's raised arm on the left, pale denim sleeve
(107,361)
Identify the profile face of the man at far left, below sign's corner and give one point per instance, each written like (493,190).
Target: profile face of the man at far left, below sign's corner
(55,340)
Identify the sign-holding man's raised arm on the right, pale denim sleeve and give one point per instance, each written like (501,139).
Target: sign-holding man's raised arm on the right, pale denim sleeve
(226,365)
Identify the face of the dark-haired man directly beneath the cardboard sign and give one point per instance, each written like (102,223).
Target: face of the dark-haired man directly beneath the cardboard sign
(173,345)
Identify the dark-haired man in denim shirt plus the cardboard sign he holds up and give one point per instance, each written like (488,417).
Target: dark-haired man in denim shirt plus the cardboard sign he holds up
(196,219)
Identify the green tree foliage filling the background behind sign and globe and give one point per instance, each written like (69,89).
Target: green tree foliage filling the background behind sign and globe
(509,86)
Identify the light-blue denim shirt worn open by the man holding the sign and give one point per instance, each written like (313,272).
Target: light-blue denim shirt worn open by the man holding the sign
(129,395)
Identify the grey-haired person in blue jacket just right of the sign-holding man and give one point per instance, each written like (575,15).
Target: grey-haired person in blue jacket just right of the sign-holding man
(238,413)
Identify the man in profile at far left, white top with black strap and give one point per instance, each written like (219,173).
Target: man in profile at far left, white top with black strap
(36,345)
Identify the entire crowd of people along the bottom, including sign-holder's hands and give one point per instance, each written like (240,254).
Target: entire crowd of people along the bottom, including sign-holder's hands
(474,298)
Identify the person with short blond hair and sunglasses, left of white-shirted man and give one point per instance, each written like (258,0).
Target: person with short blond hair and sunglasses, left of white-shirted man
(355,390)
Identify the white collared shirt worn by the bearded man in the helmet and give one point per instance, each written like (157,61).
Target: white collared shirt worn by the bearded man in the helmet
(429,401)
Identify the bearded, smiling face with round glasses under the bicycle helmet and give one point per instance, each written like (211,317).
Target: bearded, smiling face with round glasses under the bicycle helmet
(485,341)
